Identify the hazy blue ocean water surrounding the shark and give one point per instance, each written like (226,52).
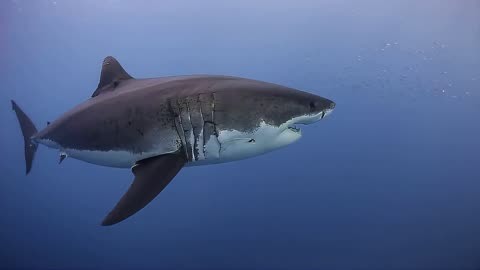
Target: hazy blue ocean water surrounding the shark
(390,180)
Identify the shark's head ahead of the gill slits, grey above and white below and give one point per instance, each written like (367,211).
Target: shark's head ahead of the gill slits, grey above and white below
(256,117)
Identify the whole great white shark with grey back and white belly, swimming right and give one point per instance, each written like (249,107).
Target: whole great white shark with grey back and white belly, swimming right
(158,126)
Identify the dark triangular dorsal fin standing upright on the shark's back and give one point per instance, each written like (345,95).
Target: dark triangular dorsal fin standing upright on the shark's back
(112,74)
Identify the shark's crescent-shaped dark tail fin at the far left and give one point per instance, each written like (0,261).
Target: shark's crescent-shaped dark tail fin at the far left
(28,130)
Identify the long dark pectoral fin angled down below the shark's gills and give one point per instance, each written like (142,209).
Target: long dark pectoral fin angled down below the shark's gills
(152,175)
